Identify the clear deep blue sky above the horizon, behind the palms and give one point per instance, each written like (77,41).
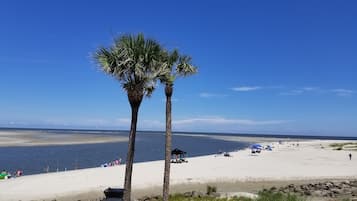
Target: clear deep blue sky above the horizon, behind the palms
(286,67)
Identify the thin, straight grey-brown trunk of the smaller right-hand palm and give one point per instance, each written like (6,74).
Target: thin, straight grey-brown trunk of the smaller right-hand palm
(166,188)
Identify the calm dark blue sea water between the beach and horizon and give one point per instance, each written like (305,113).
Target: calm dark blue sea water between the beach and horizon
(149,147)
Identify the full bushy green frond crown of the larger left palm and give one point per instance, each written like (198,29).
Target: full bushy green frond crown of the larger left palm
(134,61)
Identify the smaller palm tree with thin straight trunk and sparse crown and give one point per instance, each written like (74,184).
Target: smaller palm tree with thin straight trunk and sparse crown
(177,66)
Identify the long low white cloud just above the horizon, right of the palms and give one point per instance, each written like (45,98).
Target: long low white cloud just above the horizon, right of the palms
(225,121)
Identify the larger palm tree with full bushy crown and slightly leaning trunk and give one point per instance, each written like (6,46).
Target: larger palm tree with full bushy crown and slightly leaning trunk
(136,63)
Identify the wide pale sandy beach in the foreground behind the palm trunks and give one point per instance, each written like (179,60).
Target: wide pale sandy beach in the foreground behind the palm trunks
(286,162)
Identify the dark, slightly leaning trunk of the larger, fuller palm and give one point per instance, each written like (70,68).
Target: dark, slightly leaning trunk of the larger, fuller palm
(135,100)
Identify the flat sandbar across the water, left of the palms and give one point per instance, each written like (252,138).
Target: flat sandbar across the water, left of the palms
(36,138)
